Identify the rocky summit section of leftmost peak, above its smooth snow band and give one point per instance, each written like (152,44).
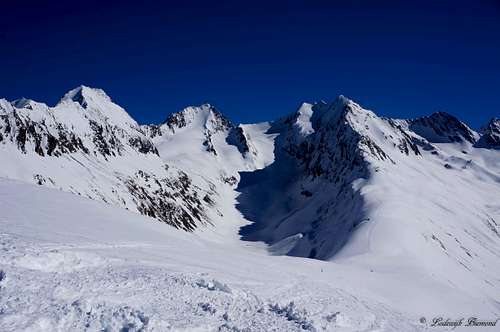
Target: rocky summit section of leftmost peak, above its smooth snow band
(84,120)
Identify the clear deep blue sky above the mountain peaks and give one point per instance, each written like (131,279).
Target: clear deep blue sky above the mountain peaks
(258,60)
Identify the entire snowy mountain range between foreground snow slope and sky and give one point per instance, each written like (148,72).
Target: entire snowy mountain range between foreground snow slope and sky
(330,181)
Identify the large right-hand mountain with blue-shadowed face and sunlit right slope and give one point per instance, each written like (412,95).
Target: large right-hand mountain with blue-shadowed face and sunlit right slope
(349,185)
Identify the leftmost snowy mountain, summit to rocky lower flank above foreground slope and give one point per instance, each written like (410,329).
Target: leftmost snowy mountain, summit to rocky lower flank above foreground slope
(105,155)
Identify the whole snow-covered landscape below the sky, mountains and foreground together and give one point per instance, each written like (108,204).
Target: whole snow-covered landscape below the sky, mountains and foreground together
(331,218)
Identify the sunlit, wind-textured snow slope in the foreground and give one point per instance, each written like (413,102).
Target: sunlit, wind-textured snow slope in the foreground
(71,263)
